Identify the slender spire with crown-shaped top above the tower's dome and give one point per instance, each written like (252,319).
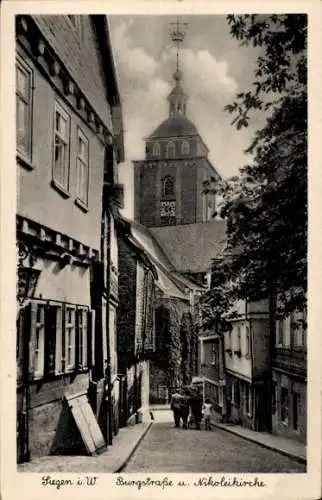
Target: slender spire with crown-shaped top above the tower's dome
(177,98)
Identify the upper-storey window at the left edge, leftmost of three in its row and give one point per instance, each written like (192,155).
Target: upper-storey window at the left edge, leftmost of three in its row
(23,109)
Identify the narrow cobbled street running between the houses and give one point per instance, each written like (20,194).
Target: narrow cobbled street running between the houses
(168,449)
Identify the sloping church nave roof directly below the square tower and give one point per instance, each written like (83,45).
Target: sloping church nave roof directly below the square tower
(192,247)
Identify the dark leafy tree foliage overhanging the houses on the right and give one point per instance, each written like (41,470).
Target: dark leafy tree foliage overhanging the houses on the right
(265,206)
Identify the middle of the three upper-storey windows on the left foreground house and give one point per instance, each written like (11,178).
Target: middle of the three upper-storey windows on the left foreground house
(61,148)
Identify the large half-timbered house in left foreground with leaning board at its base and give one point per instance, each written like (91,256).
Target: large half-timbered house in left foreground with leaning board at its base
(68,115)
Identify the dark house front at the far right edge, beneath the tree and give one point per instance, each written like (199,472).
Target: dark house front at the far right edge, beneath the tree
(289,377)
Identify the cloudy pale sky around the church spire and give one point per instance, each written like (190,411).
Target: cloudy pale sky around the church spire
(214,68)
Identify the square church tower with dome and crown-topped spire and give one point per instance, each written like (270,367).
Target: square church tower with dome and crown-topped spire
(169,181)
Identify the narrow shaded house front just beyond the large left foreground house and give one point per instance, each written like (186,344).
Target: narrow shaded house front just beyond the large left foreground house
(136,327)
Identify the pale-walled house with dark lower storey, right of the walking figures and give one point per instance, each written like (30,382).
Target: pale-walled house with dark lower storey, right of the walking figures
(247,366)
